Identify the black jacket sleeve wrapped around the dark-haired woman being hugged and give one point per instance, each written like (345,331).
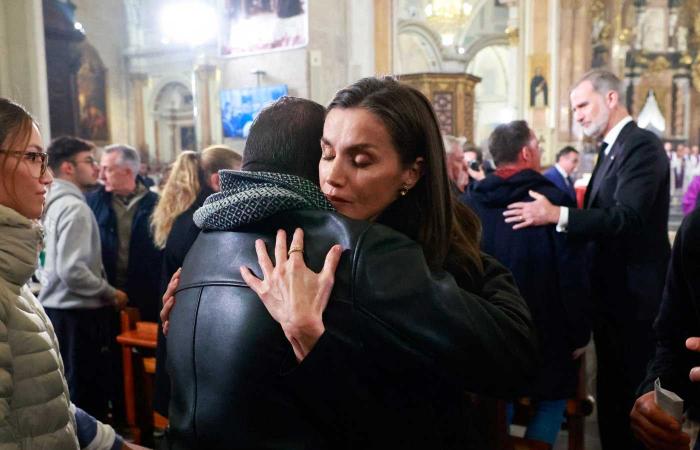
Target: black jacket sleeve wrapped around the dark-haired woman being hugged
(412,319)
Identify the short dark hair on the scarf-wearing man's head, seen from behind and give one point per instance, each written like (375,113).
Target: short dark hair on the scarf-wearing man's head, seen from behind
(286,138)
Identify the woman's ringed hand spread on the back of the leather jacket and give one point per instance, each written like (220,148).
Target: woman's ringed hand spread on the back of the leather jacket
(294,295)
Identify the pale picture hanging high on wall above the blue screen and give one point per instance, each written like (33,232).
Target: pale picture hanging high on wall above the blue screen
(257,26)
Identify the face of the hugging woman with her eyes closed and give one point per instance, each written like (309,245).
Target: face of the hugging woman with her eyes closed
(360,170)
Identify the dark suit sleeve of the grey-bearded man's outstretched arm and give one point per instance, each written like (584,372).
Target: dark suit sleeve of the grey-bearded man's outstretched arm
(639,178)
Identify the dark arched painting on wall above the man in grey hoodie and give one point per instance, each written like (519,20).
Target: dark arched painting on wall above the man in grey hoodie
(92,96)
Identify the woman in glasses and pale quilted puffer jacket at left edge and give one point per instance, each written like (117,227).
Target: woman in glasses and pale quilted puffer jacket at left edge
(35,409)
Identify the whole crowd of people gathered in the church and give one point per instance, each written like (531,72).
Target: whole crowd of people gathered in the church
(355,280)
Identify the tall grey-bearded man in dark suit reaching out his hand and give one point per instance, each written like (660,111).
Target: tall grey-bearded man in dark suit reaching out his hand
(625,215)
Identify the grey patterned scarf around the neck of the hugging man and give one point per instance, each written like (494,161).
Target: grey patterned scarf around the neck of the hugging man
(249,197)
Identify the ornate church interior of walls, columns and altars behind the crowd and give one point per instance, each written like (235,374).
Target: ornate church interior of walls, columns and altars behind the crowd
(167,76)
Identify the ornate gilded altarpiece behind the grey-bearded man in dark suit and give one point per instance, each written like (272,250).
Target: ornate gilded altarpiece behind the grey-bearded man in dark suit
(654,45)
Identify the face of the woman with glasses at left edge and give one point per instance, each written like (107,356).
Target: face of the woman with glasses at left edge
(25,188)
